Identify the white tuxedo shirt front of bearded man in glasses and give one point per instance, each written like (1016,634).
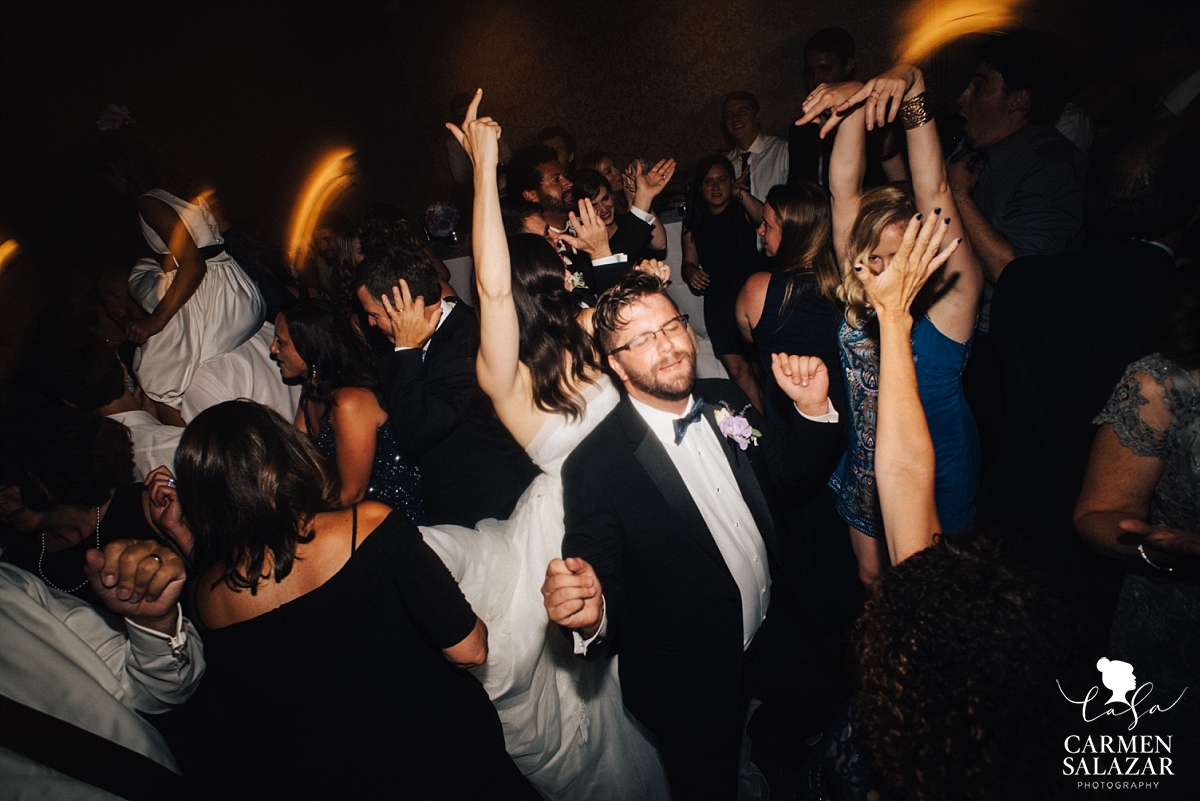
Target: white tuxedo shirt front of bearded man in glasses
(706,472)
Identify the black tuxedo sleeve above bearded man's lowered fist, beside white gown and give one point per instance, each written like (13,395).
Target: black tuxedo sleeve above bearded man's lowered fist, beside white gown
(595,534)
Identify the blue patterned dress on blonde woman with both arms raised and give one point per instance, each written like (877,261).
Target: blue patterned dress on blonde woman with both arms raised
(940,363)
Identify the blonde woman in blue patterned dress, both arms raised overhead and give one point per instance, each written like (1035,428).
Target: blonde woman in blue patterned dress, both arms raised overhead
(868,230)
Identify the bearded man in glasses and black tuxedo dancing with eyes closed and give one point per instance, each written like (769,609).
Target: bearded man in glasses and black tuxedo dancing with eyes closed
(669,537)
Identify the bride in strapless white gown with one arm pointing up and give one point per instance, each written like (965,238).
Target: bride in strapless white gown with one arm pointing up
(565,721)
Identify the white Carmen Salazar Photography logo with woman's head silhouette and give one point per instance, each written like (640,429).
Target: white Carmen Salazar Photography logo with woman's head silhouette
(1137,755)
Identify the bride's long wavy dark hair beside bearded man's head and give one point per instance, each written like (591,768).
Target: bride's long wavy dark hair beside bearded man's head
(547,317)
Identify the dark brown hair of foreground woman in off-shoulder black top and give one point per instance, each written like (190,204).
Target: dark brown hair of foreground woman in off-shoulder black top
(250,483)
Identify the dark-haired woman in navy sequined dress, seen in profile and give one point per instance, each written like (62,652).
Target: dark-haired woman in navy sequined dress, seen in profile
(343,407)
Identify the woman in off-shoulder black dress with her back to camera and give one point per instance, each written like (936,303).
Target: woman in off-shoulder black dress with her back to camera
(335,639)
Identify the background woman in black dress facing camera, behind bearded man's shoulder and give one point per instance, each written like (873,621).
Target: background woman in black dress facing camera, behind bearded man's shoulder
(721,252)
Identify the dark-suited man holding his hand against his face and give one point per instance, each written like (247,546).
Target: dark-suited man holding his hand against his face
(471,467)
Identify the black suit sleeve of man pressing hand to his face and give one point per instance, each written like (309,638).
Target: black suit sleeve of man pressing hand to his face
(425,406)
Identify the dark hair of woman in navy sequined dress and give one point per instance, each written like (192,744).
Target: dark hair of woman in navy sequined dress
(335,356)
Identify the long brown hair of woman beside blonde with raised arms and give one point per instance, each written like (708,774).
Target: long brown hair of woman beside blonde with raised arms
(806,250)
